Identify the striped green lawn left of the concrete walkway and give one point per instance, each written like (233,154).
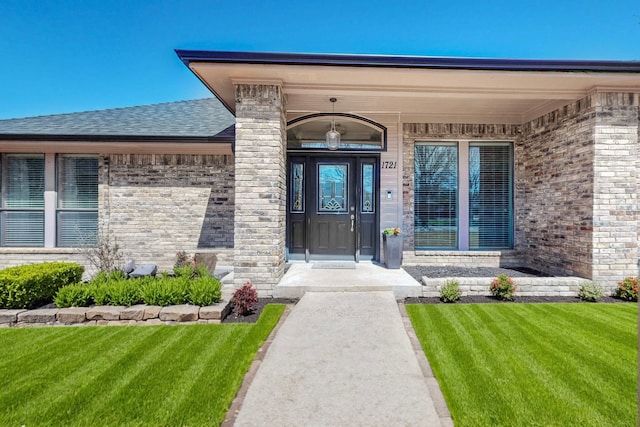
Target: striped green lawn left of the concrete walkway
(126,376)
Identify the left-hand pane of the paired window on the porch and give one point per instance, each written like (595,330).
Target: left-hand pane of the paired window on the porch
(436,196)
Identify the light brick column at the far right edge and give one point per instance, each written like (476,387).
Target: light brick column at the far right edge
(616,187)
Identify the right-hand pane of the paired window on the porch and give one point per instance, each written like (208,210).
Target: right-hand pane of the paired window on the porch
(490,196)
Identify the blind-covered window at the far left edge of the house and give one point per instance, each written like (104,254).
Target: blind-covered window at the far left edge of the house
(22,207)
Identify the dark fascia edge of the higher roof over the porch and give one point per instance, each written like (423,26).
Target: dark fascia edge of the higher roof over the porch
(423,62)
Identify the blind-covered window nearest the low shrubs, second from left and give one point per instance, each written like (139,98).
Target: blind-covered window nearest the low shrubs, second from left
(77,210)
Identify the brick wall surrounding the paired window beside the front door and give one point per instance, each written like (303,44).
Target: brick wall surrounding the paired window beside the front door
(413,132)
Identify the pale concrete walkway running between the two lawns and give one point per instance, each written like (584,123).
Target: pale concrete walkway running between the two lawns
(342,359)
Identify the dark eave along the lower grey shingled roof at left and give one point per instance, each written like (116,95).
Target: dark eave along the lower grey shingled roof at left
(118,138)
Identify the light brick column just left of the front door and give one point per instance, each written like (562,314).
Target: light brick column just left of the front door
(260,185)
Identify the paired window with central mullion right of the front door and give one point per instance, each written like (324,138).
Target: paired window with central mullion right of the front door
(475,216)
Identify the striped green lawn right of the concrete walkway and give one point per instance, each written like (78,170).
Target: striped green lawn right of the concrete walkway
(533,364)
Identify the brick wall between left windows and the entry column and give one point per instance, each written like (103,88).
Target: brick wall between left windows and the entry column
(156,205)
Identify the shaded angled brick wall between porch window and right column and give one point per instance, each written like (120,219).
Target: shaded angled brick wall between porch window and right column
(555,179)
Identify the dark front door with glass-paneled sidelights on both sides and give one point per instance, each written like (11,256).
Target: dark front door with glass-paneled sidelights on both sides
(332,207)
